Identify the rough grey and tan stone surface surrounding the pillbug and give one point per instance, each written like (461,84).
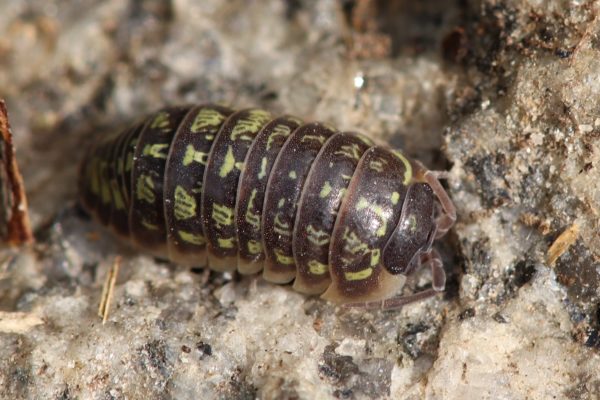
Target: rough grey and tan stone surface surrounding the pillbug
(512,97)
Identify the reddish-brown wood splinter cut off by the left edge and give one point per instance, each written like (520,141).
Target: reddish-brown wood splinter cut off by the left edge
(15,229)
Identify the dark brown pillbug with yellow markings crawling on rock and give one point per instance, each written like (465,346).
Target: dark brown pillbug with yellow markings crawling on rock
(208,186)
